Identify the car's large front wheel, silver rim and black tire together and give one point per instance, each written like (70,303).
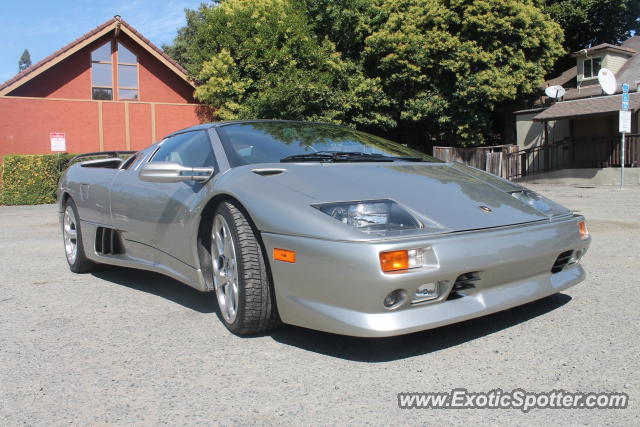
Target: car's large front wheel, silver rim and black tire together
(242,286)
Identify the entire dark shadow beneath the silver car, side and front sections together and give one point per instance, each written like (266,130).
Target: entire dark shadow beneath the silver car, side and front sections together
(371,350)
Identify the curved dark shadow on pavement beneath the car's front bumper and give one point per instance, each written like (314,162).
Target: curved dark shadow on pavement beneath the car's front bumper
(374,350)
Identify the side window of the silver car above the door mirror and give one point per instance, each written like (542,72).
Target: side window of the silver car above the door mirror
(191,149)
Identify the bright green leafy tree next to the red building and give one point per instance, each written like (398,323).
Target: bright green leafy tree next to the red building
(260,59)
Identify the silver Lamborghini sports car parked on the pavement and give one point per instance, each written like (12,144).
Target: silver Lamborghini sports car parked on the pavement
(320,226)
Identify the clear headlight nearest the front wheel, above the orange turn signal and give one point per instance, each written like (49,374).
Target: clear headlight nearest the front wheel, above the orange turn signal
(371,215)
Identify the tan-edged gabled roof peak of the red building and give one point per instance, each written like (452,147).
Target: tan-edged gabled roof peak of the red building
(114,24)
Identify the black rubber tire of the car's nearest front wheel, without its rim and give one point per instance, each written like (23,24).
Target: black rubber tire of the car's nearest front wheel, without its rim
(256,305)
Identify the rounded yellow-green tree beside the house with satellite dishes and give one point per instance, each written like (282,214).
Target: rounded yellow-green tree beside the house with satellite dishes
(446,64)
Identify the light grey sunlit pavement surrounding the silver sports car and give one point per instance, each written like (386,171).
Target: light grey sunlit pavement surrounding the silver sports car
(123,346)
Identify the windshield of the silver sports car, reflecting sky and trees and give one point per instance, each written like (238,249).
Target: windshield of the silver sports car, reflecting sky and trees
(273,142)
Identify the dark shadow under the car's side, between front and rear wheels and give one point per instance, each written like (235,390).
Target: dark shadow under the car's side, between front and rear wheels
(162,286)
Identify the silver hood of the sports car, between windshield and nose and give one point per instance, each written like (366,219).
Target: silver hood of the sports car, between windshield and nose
(450,196)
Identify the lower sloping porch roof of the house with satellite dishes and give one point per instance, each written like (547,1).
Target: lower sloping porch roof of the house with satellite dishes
(587,107)
